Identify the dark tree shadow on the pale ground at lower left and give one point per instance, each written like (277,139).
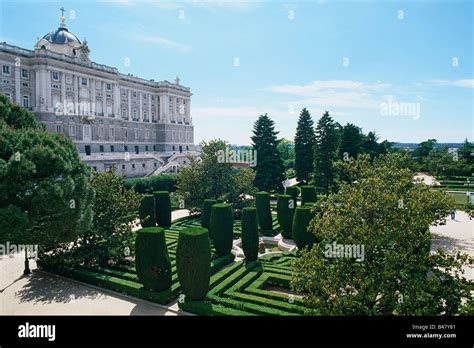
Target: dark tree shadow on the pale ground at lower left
(44,288)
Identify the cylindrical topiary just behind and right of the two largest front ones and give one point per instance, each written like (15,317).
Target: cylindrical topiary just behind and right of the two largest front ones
(222,227)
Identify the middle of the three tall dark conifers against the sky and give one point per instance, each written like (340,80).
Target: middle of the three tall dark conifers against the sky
(304,147)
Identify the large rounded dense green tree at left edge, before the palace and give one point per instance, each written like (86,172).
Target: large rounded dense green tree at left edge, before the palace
(45,195)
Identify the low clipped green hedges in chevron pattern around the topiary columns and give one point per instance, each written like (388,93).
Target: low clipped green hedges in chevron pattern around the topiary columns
(238,289)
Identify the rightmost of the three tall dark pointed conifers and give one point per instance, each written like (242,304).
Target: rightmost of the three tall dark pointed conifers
(324,153)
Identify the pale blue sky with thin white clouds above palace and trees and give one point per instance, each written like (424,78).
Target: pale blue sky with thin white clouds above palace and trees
(243,58)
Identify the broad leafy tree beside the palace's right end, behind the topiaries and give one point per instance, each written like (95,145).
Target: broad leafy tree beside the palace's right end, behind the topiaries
(211,178)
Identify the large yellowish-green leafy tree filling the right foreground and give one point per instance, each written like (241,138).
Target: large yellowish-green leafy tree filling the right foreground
(387,218)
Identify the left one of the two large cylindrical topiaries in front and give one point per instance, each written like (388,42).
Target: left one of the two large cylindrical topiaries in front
(152,261)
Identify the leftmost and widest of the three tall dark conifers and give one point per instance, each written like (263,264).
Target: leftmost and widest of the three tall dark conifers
(269,169)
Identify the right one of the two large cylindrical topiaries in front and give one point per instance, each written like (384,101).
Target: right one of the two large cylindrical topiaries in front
(193,262)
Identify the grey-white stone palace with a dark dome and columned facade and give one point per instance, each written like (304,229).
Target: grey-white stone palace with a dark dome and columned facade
(138,127)
